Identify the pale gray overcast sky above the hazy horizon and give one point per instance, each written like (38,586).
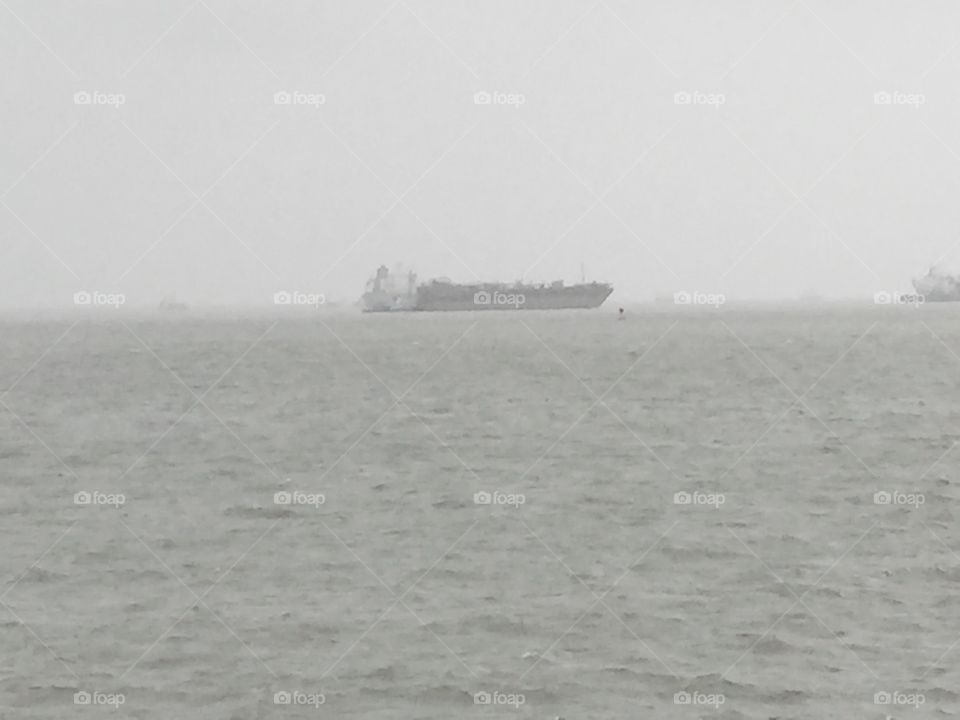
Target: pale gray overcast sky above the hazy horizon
(736,147)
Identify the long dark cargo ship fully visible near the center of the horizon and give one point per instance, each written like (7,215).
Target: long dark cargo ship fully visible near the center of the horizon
(389,293)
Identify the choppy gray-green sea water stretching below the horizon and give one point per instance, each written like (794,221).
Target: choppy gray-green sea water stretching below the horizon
(586,588)
